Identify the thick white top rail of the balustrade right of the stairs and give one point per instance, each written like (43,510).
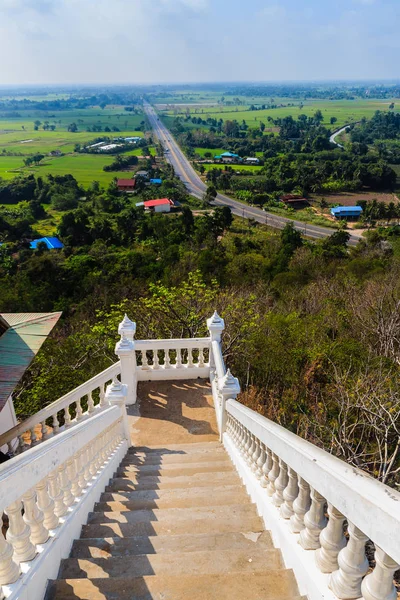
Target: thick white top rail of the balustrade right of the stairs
(370,505)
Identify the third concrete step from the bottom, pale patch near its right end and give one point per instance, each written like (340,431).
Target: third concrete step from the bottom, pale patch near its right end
(166,544)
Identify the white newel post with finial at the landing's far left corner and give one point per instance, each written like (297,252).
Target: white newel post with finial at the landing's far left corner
(125,350)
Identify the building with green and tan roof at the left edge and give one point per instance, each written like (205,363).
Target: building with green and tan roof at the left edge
(21,336)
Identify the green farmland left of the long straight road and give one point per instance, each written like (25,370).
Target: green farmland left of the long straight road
(20,139)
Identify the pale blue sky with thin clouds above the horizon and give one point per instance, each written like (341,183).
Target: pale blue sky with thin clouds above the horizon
(170,41)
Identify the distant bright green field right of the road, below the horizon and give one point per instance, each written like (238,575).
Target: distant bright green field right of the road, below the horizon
(346,111)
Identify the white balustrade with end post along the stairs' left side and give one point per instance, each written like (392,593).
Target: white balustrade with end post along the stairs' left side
(43,492)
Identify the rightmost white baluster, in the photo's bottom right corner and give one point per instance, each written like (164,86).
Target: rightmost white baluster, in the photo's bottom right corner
(378,585)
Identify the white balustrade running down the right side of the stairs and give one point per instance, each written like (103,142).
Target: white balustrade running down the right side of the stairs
(294,484)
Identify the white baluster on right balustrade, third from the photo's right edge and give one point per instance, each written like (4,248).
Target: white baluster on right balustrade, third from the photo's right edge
(332,541)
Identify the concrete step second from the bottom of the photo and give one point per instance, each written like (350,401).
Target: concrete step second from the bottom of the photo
(204,562)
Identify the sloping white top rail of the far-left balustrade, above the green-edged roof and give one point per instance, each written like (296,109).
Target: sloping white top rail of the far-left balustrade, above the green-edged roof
(60,404)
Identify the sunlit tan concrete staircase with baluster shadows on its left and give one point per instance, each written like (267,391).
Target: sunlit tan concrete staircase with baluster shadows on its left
(174,523)
